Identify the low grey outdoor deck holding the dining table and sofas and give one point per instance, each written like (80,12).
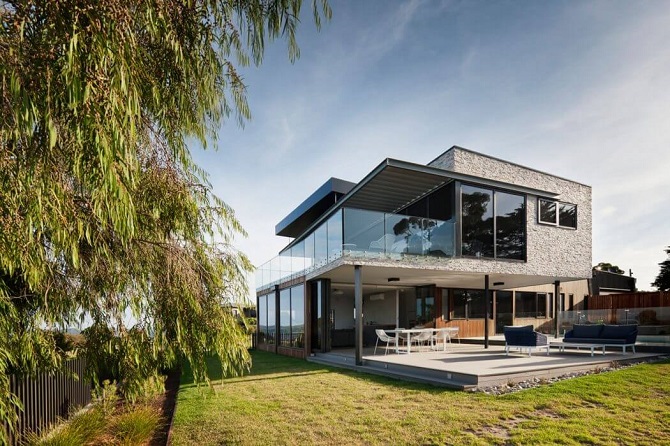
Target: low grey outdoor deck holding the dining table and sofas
(467,366)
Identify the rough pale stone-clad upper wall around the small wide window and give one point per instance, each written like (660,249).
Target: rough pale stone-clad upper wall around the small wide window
(551,250)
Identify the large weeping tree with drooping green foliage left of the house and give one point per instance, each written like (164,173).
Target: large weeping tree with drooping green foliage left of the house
(103,212)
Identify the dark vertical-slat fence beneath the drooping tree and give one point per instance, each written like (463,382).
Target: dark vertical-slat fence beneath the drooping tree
(47,398)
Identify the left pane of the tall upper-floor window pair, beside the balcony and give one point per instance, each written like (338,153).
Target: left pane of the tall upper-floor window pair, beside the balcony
(477,221)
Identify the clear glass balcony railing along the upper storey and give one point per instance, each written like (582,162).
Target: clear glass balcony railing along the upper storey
(360,234)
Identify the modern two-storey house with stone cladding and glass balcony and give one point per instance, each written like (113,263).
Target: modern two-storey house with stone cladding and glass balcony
(468,240)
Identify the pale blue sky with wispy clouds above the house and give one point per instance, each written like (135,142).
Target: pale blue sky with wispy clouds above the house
(574,88)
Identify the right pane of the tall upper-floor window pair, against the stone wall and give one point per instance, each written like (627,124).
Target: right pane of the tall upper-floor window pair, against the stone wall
(510,226)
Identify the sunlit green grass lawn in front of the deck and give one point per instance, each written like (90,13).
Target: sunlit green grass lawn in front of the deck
(291,401)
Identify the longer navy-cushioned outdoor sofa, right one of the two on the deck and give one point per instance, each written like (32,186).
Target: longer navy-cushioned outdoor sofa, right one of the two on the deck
(603,335)
